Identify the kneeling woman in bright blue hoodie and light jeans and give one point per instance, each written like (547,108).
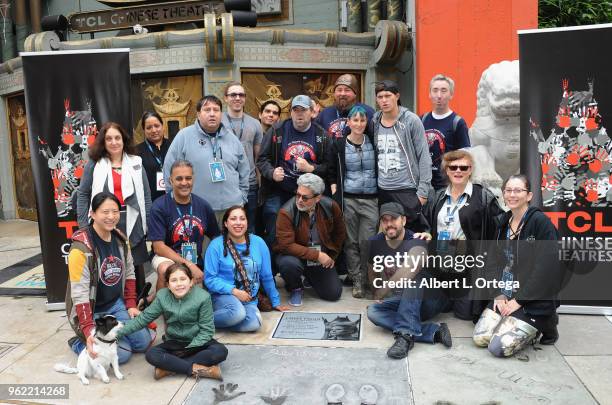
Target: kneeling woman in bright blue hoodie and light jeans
(236,264)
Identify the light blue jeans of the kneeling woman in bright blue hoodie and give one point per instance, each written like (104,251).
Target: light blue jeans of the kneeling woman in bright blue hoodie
(232,314)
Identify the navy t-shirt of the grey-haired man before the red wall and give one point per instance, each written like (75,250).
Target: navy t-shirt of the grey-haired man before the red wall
(441,139)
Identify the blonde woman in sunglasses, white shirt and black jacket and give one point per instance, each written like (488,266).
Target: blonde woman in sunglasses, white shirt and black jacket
(463,211)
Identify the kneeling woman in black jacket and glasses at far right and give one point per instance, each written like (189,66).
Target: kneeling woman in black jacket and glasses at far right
(525,304)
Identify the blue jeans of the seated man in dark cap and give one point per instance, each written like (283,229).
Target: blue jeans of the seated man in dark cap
(405,313)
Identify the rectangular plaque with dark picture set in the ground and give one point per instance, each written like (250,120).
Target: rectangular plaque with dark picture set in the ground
(318,326)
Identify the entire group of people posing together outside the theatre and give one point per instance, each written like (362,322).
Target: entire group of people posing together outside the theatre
(232,201)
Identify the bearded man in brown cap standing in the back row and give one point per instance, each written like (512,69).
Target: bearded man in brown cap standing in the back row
(333,119)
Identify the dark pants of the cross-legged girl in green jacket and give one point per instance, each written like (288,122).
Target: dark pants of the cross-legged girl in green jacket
(172,356)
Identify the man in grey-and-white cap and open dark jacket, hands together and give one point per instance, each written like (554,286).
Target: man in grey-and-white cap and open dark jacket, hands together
(290,148)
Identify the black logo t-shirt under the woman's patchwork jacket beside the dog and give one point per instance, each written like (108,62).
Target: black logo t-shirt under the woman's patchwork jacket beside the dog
(111,272)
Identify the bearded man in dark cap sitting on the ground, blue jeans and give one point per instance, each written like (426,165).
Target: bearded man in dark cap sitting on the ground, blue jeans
(407,307)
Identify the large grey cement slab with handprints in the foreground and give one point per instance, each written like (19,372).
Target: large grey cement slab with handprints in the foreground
(291,375)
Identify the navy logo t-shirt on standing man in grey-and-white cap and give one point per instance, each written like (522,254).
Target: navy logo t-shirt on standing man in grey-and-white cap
(296,144)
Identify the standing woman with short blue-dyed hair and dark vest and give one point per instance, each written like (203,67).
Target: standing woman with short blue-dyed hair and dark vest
(352,175)
